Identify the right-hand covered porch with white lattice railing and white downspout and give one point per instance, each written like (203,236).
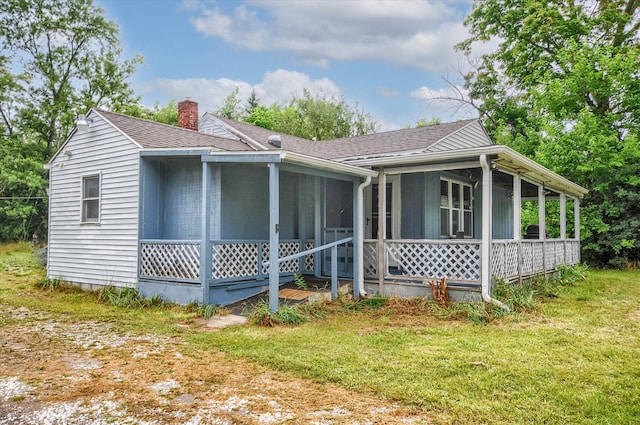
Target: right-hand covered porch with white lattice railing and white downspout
(487,214)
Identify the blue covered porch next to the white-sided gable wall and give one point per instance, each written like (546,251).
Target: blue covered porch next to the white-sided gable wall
(219,227)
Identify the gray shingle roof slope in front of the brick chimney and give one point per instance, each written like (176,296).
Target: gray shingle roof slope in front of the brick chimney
(150,135)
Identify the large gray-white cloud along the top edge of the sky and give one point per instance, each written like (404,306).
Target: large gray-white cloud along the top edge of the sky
(407,33)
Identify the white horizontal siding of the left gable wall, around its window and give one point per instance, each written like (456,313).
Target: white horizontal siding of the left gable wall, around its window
(104,253)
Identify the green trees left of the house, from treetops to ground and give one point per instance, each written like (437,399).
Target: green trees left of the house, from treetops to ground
(58,58)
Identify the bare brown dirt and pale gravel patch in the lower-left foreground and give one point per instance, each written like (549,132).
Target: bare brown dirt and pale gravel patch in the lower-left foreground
(57,371)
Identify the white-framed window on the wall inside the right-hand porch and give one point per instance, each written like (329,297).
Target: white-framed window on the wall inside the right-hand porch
(455,208)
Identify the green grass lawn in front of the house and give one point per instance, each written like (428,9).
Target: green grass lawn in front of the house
(570,359)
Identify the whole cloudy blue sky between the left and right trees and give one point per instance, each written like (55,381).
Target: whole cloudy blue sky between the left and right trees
(385,55)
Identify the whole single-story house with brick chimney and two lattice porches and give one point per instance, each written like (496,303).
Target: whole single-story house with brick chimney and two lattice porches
(215,211)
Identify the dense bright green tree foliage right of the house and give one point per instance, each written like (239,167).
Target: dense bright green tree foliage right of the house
(564,87)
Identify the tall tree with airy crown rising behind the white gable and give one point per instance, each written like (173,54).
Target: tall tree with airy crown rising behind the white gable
(70,53)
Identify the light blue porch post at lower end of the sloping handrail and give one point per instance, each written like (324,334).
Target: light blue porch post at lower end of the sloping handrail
(274,239)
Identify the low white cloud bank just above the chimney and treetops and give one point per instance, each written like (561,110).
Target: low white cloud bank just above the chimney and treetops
(276,86)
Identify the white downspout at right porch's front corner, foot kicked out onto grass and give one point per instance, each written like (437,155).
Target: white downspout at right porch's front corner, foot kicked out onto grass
(486,234)
